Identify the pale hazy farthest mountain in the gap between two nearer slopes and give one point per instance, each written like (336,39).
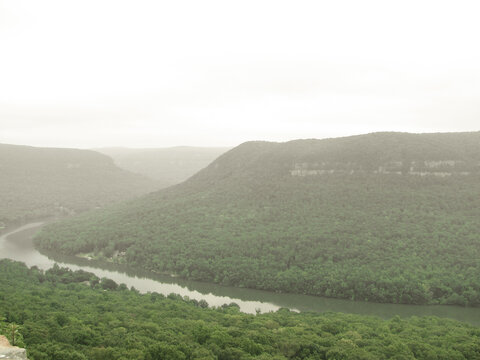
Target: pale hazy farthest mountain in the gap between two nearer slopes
(169,166)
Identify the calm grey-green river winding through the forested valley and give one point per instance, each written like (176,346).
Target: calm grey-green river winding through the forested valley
(17,245)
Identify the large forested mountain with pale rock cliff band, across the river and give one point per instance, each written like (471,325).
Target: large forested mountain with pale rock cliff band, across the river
(386,217)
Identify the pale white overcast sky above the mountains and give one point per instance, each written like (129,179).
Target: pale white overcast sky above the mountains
(217,73)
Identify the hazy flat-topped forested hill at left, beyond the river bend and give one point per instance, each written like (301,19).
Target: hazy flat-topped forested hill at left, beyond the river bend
(37,182)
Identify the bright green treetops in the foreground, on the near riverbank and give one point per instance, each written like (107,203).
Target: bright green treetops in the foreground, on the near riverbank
(60,314)
